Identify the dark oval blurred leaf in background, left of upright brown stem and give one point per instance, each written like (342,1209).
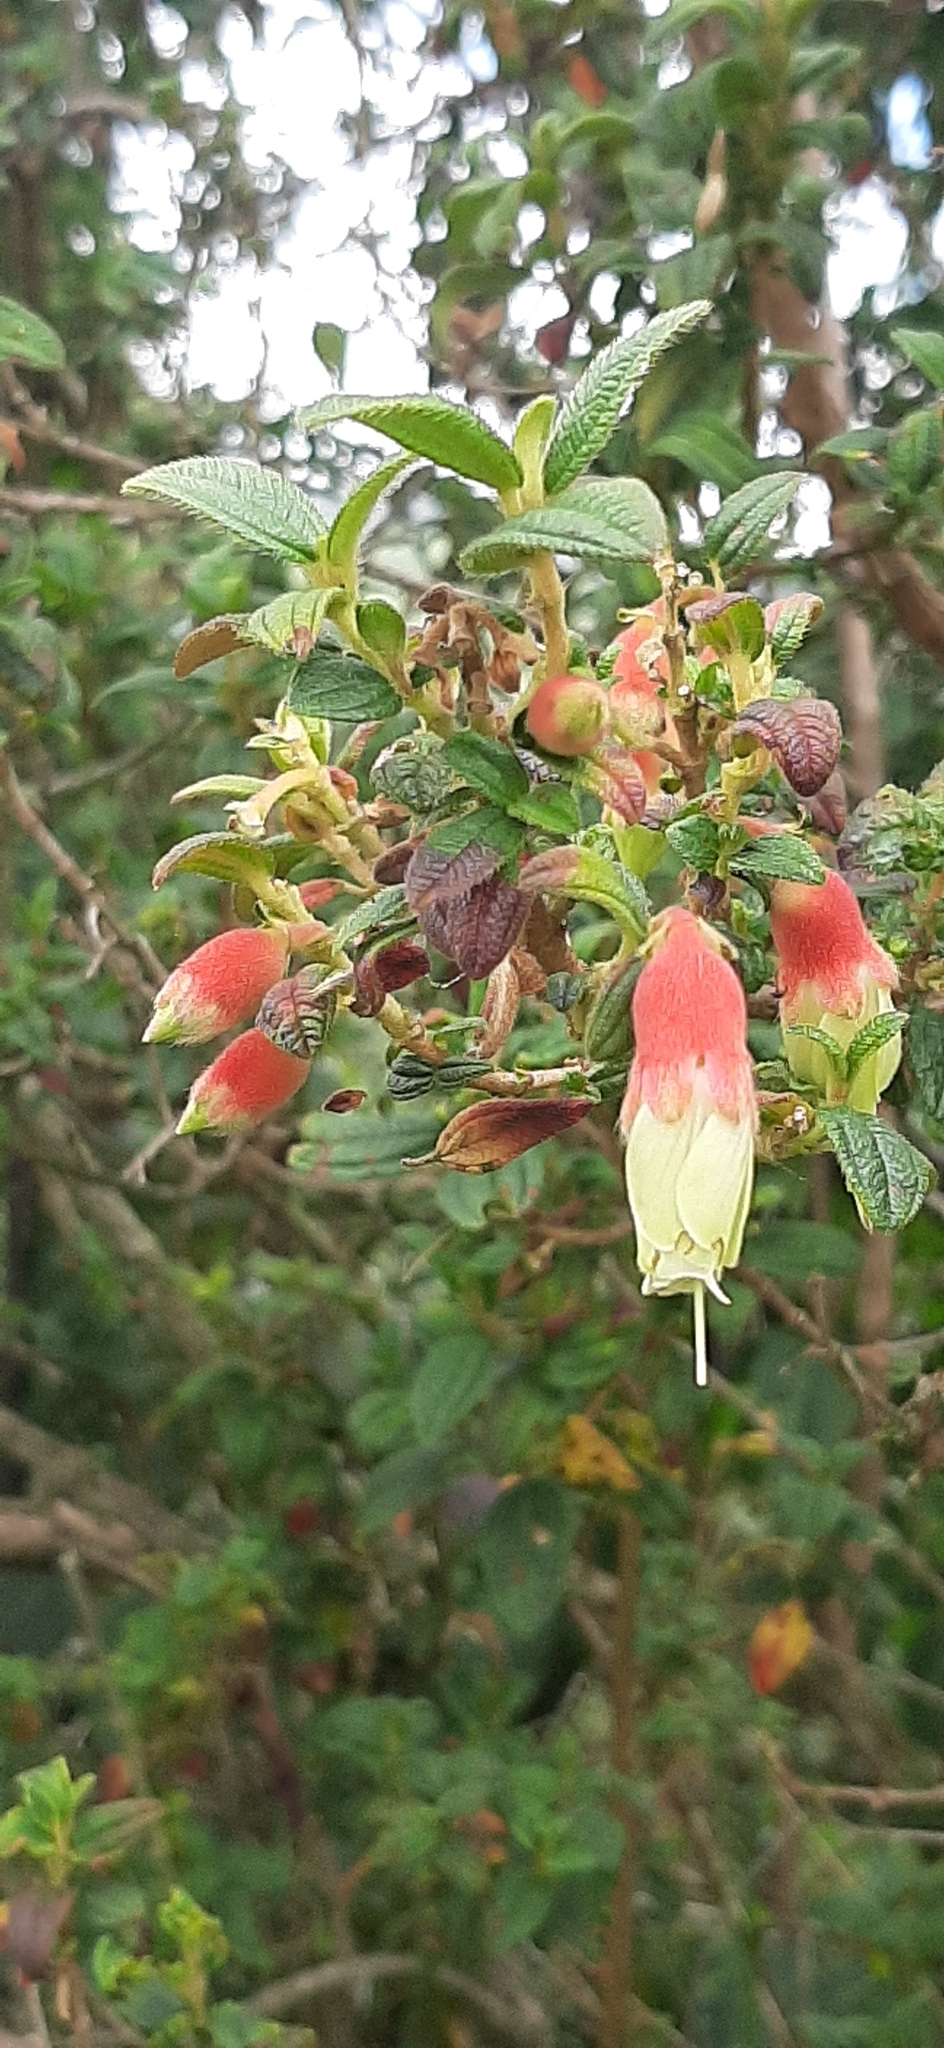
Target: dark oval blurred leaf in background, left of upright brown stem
(525,1553)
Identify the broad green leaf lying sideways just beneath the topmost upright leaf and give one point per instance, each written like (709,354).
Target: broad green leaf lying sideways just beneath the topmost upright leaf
(603,519)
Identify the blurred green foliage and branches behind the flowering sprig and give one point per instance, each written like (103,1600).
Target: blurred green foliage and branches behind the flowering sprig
(253,1566)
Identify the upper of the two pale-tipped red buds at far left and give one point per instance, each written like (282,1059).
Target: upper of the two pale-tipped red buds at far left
(220,986)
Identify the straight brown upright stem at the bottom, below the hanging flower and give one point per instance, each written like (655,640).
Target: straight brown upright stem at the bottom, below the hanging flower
(617,1967)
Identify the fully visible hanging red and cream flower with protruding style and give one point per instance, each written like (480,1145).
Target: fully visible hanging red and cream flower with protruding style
(689,1117)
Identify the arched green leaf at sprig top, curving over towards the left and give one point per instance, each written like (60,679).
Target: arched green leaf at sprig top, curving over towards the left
(433,427)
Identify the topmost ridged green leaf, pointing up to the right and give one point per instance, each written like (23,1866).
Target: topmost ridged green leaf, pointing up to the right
(603,394)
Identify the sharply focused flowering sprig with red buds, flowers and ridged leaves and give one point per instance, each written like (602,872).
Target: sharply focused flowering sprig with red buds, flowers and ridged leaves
(480,787)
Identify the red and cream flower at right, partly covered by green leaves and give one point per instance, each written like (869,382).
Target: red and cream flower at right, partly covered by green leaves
(834,978)
